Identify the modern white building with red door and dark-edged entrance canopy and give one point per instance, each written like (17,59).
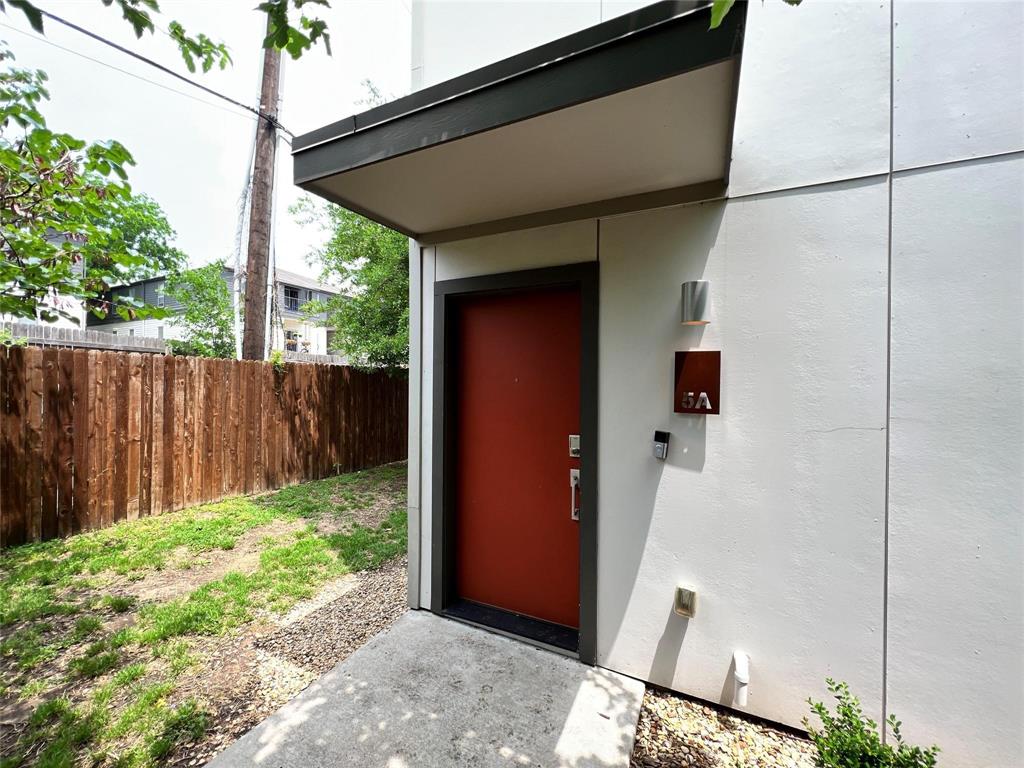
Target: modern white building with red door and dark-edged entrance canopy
(845,498)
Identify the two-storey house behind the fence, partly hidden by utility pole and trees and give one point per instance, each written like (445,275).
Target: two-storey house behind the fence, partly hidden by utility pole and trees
(291,330)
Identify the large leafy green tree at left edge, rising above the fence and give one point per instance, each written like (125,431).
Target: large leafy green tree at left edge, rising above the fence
(60,198)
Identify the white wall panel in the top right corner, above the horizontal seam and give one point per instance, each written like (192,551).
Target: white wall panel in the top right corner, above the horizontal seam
(959,87)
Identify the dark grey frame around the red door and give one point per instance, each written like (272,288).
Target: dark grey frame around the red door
(585,276)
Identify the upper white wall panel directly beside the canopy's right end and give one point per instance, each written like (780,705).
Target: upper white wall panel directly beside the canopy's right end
(814,103)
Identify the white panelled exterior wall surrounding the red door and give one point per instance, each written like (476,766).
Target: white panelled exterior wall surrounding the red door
(778,510)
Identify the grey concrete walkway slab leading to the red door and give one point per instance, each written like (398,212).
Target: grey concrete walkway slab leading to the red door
(434,693)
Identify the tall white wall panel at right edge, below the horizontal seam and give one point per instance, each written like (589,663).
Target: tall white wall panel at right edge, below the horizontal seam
(957,505)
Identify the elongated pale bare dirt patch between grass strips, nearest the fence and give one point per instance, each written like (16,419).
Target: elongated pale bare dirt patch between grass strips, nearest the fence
(176,581)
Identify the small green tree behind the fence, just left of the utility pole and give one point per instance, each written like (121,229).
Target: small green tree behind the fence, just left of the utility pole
(207,321)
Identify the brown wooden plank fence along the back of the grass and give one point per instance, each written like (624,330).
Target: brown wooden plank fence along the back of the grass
(89,439)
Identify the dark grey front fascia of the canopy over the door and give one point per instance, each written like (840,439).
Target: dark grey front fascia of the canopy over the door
(652,45)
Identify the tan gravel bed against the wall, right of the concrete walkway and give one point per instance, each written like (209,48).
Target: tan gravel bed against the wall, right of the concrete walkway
(677,733)
